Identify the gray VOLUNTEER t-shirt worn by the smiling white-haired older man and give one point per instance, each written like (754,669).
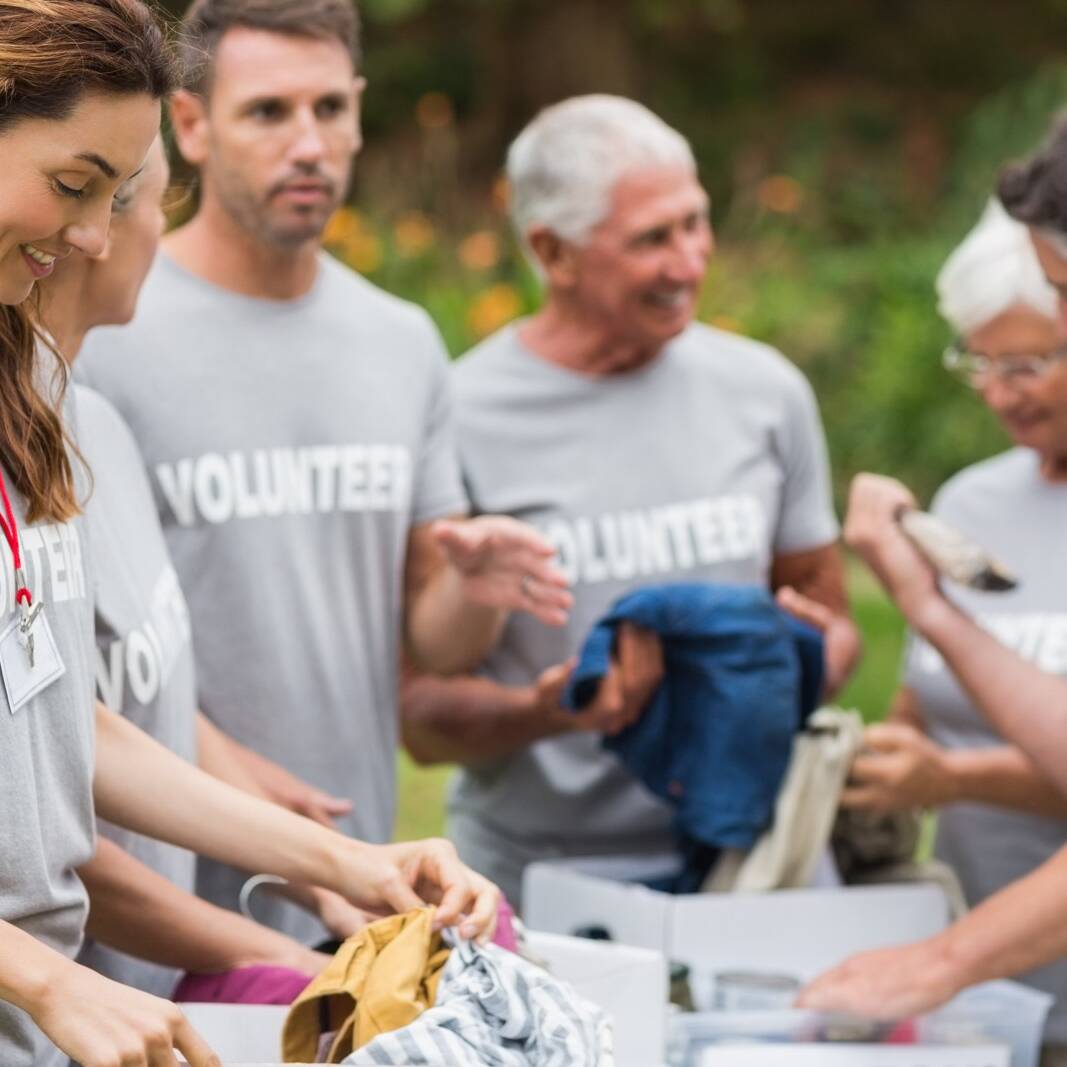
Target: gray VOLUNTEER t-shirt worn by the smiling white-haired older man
(702,467)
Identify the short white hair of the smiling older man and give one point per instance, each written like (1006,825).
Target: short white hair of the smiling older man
(563,167)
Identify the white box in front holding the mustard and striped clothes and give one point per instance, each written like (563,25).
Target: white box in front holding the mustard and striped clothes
(629,983)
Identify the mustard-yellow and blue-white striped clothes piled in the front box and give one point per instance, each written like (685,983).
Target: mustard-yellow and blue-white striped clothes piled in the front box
(402,993)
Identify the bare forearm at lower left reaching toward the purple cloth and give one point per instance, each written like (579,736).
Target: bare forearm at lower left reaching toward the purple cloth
(138,912)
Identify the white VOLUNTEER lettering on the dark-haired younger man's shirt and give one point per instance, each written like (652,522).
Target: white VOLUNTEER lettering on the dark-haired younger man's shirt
(279,482)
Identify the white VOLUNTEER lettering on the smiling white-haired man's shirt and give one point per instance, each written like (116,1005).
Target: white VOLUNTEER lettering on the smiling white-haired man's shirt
(677,537)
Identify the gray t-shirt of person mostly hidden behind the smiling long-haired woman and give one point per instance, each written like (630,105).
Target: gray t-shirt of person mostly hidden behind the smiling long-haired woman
(145,663)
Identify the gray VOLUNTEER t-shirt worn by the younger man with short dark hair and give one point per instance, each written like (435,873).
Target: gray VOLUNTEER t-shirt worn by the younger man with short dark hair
(292,445)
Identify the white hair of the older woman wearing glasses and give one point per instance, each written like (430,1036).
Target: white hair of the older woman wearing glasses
(994,269)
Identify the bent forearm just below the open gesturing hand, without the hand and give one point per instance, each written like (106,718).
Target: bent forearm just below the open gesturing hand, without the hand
(445,632)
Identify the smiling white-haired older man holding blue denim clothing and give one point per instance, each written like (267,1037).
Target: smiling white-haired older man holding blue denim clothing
(648,449)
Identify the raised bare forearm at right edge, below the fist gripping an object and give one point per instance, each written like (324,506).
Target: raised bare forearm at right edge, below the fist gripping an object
(1027,706)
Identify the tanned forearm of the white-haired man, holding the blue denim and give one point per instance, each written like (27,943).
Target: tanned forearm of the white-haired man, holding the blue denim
(470,720)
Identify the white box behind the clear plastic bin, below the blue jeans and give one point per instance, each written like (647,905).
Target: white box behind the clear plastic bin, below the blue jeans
(798,932)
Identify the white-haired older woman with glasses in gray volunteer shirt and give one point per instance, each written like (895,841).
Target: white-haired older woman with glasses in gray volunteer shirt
(1001,819)
